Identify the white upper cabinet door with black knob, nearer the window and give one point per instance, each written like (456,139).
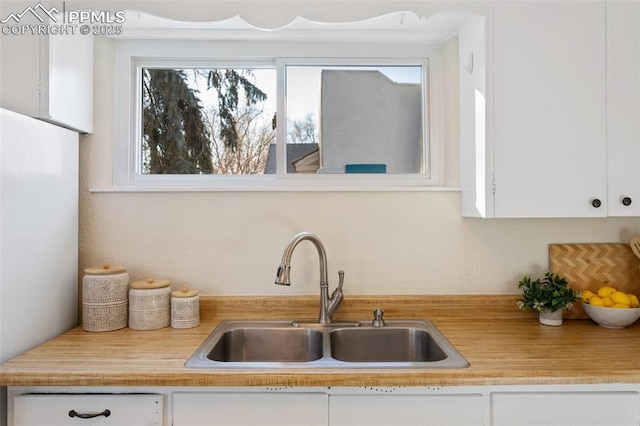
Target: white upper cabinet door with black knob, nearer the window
(549,124)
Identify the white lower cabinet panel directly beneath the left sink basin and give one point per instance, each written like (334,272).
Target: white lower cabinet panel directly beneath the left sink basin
(248,409)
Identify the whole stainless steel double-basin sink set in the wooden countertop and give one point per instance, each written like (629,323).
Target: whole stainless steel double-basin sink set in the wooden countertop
(286,345)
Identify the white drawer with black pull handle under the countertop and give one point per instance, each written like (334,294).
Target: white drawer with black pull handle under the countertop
(54,410)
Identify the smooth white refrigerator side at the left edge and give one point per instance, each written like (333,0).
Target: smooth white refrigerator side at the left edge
(38,233)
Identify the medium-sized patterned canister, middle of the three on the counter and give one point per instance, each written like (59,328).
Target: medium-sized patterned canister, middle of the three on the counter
(149,304)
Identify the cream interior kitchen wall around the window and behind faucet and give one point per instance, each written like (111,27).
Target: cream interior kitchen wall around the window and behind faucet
(388,243)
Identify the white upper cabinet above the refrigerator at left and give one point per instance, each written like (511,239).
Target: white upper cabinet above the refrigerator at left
(49,77)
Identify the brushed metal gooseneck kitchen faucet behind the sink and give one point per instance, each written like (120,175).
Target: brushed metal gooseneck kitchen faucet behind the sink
(328,305)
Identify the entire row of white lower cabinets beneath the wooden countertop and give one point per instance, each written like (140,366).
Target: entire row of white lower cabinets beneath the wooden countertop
(511,405)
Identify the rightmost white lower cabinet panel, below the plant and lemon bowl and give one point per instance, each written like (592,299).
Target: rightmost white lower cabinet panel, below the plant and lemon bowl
(567,409)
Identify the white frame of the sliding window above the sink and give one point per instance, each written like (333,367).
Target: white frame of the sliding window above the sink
(132,54)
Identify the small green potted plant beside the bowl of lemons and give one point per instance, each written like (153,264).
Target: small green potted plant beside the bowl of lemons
(549,296)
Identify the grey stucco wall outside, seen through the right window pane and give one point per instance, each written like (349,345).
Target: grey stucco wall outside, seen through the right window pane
(348,99)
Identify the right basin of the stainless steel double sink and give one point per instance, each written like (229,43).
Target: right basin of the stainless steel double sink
(386,344)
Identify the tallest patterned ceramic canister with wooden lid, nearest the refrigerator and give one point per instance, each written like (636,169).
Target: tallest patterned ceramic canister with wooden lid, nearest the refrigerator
(104,298)
